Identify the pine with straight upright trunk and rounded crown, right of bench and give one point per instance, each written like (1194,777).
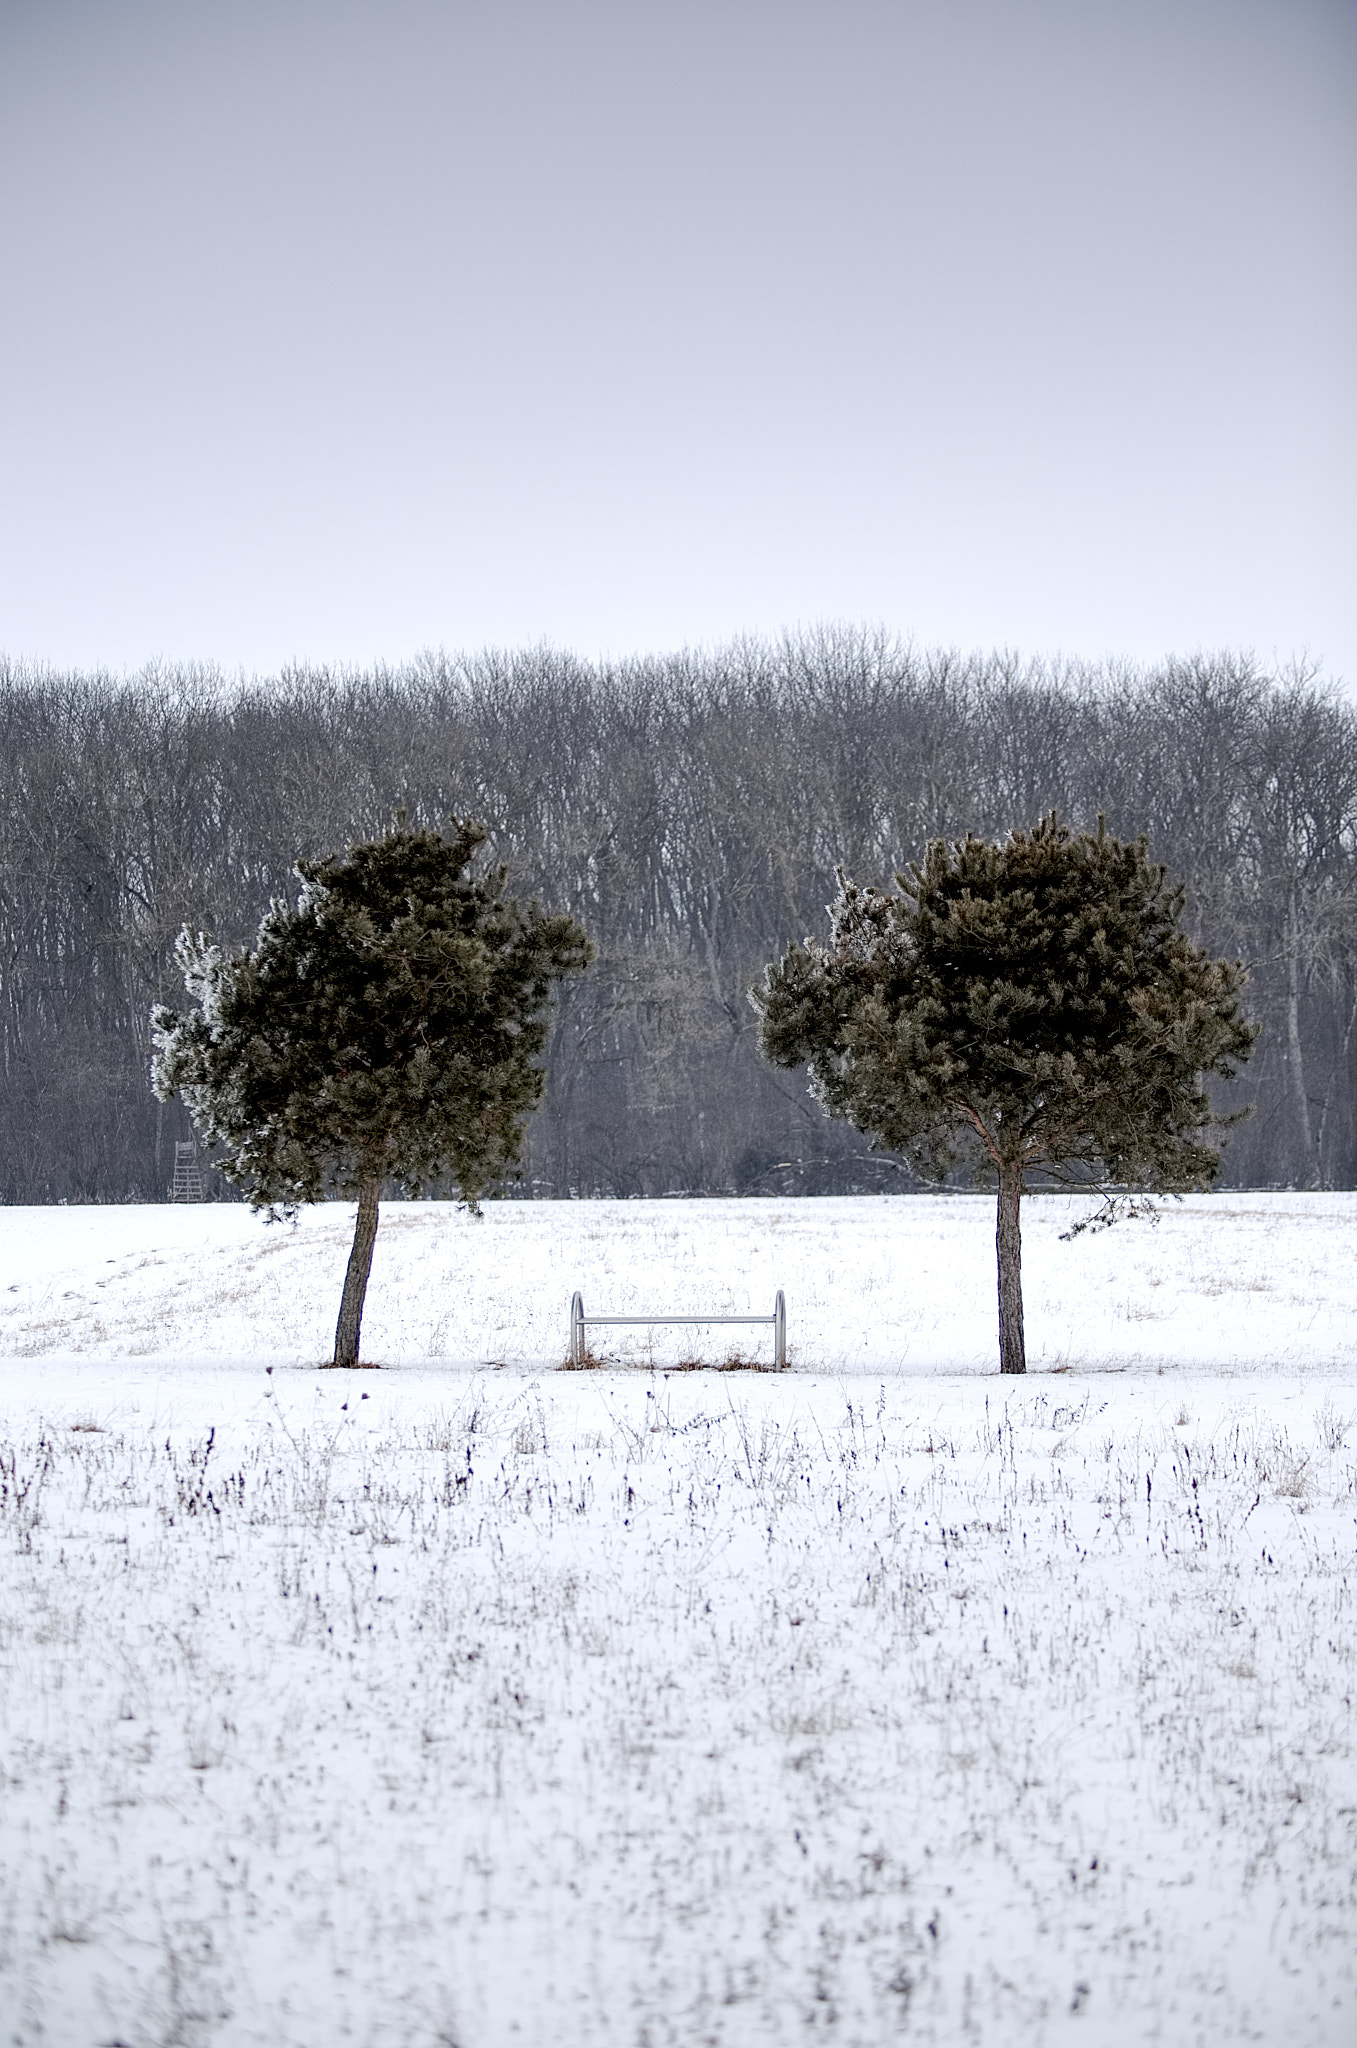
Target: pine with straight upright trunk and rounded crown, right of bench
(1028,1009)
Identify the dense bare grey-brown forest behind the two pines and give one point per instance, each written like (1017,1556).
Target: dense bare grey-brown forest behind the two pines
(691,814)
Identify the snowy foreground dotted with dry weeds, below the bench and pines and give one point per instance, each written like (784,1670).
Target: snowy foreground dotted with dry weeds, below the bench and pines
(816,1701)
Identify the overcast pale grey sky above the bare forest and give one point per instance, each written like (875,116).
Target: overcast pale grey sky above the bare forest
(339,331)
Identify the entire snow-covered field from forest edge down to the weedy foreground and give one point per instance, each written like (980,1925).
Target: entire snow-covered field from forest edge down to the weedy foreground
(478,1703)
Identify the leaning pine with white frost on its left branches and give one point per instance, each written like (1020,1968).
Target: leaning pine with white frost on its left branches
(386,1029)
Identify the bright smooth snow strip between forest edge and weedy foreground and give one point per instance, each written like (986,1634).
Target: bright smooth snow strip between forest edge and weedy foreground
(1235,1283)
